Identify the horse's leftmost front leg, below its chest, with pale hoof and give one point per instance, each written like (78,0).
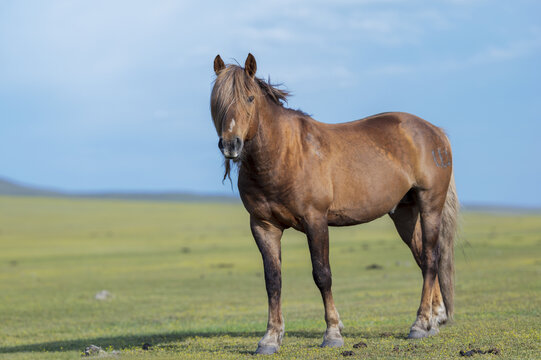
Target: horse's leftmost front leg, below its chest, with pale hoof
(267,237)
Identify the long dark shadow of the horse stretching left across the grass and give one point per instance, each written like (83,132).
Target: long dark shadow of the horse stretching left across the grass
(166,340)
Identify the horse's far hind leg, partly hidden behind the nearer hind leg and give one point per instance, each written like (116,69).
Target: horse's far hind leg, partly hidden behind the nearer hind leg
(408,224)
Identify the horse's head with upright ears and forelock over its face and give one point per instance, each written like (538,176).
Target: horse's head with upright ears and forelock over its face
(233,105)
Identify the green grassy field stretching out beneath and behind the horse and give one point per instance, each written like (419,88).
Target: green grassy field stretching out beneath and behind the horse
(187,280)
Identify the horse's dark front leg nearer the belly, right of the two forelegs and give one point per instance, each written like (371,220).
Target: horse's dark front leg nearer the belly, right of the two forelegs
(317,231)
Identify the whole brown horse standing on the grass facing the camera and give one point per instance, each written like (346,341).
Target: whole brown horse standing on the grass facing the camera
(300,173)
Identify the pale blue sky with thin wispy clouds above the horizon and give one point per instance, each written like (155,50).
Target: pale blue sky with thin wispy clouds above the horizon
(114,95)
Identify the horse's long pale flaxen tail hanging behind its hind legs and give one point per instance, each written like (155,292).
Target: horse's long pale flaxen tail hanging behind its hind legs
(448,230)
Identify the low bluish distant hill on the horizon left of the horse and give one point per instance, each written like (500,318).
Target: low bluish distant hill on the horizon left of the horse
(12,188)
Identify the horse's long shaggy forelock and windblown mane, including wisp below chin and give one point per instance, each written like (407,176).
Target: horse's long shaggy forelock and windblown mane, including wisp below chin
(233,85)
